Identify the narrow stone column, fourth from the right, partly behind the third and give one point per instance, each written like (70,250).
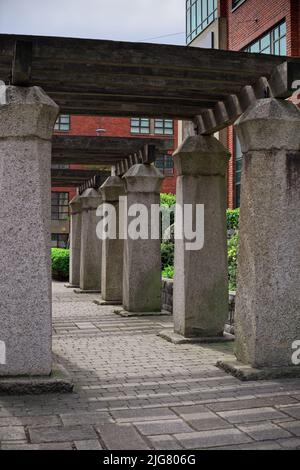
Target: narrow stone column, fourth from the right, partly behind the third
(112,248)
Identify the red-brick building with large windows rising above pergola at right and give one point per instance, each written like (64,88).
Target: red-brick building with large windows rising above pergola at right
(257,26)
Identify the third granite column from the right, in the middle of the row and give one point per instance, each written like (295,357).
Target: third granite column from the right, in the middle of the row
(142,257)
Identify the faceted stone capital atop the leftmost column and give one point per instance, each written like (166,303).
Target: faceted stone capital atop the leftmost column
(26,111)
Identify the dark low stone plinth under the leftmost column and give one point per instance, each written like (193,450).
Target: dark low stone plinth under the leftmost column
(58,382)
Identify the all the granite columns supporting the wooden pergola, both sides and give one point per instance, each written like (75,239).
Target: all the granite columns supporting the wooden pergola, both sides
(268,292)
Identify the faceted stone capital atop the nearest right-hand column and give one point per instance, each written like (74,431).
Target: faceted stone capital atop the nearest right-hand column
(269,124)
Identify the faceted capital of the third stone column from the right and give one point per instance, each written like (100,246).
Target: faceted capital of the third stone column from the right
(143,178)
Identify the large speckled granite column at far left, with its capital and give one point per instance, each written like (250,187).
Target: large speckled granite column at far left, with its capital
(27,117)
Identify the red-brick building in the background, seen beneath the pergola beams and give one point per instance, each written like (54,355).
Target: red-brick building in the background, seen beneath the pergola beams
(110,127)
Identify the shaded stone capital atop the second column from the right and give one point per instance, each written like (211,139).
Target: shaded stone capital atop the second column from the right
(201,155)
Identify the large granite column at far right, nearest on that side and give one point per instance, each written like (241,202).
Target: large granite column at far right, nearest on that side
(268,290)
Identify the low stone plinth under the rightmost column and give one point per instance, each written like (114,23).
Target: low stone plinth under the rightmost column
(246,373)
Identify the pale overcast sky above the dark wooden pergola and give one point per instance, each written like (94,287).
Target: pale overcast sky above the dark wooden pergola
(127,20)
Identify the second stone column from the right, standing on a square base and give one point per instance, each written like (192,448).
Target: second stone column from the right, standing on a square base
(201,283)
